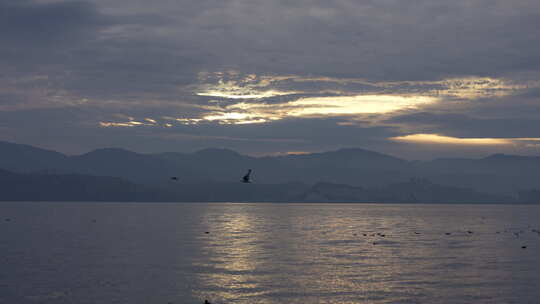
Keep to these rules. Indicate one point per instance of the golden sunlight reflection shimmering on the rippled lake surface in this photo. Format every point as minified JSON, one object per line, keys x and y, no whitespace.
{"x":339,"y":253}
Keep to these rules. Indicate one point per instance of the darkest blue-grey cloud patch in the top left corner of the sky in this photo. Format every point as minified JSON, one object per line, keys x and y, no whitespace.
{"x":37,"y":35}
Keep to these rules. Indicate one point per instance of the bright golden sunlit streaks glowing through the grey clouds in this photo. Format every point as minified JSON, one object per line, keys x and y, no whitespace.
{"x":243,"y":99}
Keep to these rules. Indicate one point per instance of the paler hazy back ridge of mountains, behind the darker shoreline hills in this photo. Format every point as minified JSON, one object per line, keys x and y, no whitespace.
{"x":496,"y":174}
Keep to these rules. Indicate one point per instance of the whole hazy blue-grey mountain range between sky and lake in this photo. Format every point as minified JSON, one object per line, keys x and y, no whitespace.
{"x":214,"y":175}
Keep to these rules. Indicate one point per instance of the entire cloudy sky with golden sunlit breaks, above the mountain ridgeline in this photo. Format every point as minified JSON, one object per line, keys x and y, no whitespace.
{"x":418,"y":79}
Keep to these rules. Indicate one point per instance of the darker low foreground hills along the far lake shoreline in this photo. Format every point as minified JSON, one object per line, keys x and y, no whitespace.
{"x":76,"y":187}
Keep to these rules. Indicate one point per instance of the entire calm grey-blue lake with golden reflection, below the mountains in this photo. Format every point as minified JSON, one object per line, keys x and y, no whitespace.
{"x":268,"y":253}
